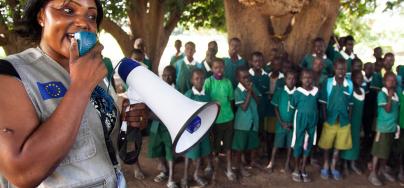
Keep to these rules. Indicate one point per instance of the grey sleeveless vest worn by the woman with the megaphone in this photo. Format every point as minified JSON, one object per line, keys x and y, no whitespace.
{"x":87,"y":164}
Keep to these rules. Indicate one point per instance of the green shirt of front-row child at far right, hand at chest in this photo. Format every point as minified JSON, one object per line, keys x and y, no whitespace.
{"x":386,"y":121}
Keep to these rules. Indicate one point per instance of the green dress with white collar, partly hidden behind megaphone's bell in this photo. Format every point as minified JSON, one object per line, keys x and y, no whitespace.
{"x":203,"y":148}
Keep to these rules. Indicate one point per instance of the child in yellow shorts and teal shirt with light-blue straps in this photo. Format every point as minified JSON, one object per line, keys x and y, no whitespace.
{"x":336,"y":133}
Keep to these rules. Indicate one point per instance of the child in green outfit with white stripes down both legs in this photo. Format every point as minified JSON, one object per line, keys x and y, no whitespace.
{"x":304,"y":102}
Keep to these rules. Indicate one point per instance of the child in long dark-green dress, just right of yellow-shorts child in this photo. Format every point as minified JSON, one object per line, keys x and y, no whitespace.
{"x":357,"y":110}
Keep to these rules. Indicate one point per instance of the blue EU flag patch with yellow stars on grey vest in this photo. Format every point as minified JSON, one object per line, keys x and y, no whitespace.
{"x":51,"y":90}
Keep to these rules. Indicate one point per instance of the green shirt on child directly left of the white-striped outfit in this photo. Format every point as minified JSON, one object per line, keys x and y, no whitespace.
{"x":282,"y":100}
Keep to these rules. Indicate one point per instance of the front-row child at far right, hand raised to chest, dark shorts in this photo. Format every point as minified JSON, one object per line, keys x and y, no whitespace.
{"x":387,"y":129}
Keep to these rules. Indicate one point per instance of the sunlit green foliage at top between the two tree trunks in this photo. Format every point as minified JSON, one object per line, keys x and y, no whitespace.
{"x":204,"y":14}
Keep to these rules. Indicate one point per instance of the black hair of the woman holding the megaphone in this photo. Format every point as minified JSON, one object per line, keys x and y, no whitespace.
{"x":29,"y":26}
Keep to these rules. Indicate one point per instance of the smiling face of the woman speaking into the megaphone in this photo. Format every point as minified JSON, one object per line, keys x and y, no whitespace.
{"x":60,"y":19}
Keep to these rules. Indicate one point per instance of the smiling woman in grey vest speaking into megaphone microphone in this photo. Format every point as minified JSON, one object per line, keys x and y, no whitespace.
{"x":56,"y":115}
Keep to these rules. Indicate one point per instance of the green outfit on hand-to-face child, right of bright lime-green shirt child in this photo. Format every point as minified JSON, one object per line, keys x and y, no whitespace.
{"x":246,"y":122}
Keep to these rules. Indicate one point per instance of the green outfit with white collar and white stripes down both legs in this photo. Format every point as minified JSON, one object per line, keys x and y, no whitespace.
{"x":305,"y":120}
